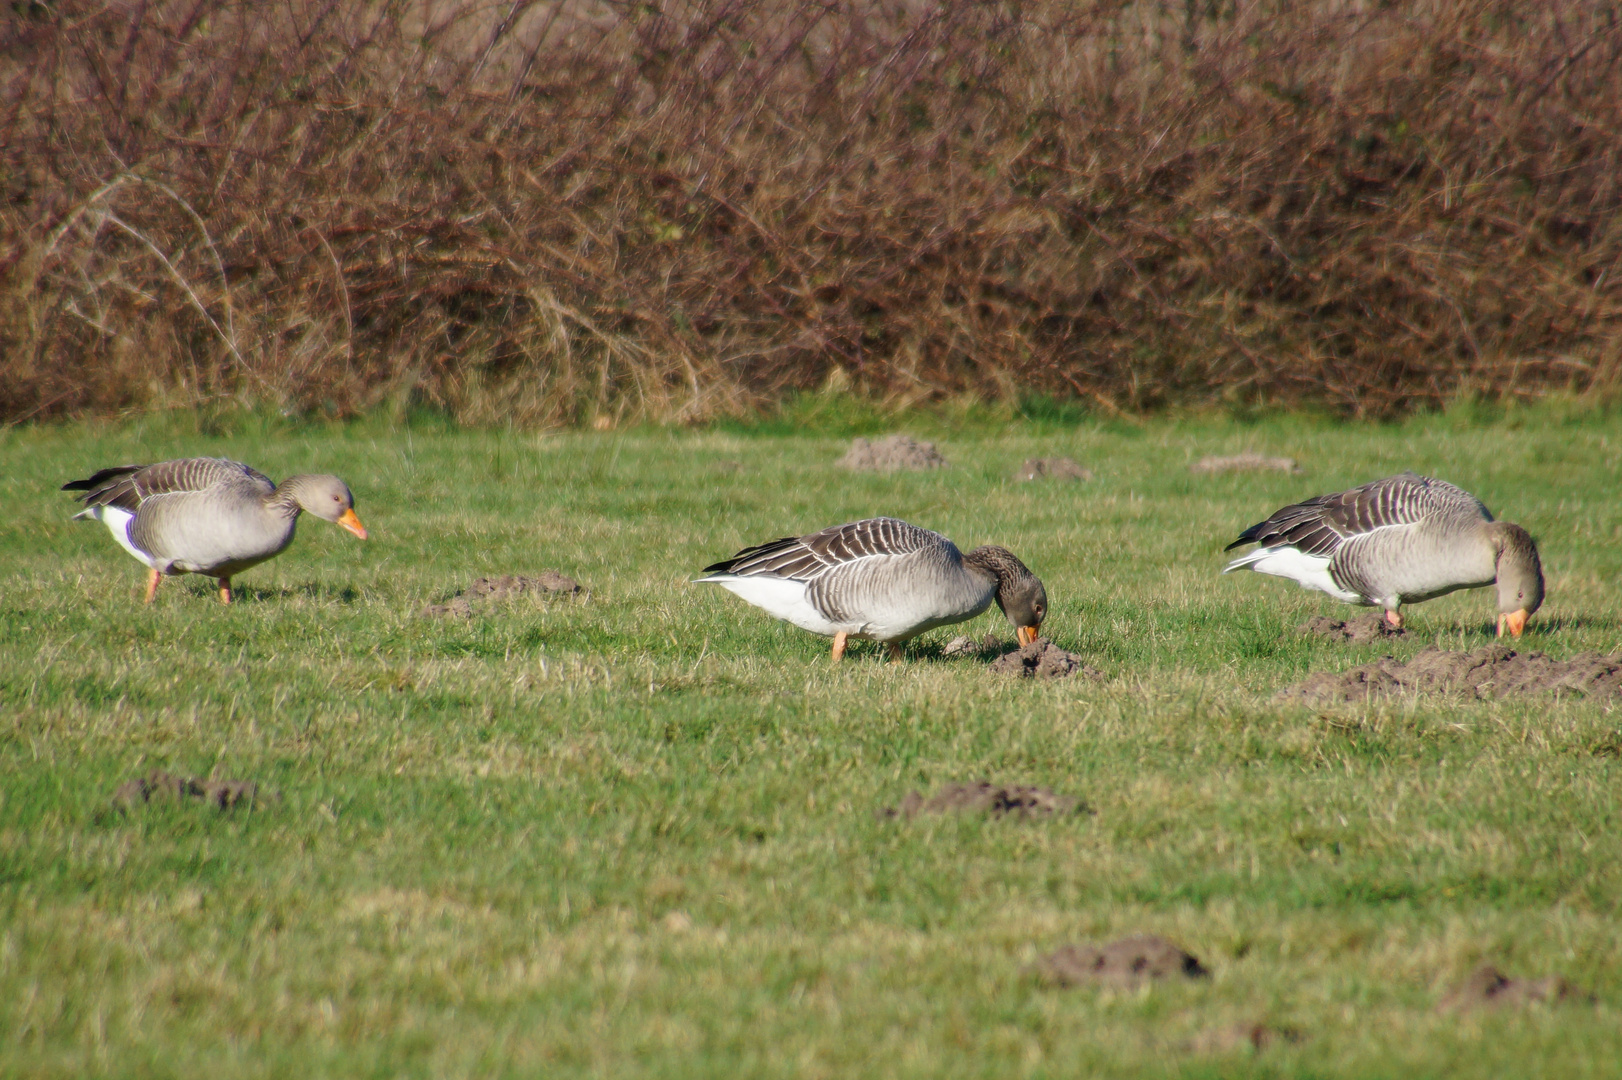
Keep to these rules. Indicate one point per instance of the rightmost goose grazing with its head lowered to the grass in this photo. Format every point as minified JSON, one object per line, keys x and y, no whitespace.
{"x":1399,"y":541}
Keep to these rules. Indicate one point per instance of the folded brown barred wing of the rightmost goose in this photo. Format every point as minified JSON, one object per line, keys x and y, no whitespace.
{"x":1323,"y":525}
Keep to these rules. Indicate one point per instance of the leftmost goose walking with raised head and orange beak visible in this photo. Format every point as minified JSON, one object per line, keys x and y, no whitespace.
{"x":207,"y":515}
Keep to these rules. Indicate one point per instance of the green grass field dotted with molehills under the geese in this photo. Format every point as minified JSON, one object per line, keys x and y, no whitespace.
{"x":635,"y":836}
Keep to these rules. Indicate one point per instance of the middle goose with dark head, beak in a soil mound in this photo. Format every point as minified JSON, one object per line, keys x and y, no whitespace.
{"x":882,"y":580}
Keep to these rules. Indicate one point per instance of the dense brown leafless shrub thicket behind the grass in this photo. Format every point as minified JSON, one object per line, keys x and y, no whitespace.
{"x":549,"y":212}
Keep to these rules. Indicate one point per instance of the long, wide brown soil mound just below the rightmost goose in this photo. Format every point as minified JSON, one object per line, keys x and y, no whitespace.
{"x":1485,"y":674}
